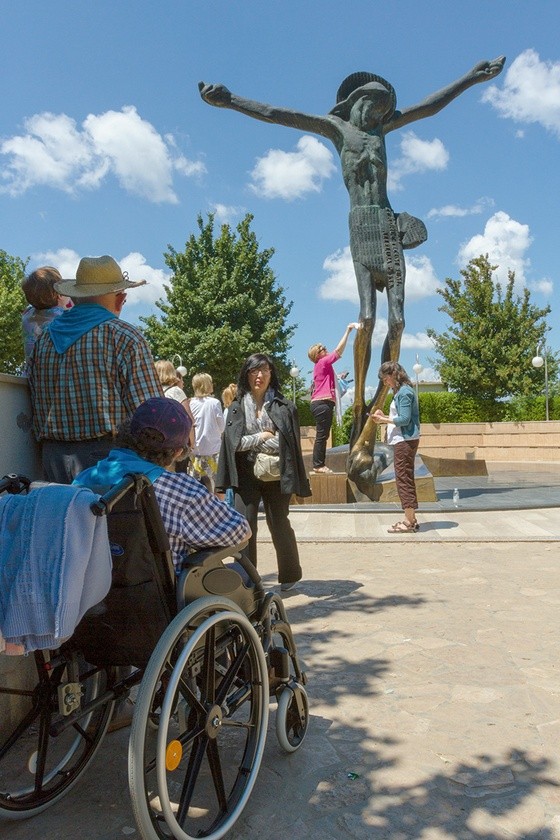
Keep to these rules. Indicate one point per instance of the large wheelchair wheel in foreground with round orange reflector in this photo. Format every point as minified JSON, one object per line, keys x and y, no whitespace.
{"x":200,"y":724}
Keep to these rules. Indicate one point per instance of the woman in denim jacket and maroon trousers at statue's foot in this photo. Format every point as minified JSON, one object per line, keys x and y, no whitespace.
{"x":403,"y":434}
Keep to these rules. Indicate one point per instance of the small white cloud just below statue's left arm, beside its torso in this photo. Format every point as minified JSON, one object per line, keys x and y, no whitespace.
{"x":290,"y":175}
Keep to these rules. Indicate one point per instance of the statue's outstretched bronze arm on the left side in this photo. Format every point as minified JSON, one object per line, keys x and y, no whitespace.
{"x":220,"y":96}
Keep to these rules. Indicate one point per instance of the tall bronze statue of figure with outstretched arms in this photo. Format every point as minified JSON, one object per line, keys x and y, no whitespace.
{"x":364,"y":113}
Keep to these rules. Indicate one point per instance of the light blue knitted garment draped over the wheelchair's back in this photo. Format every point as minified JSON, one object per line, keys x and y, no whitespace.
{"x":55,"y":563}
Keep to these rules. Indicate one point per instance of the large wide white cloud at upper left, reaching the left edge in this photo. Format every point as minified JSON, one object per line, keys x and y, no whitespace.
{"x":55,"y":152}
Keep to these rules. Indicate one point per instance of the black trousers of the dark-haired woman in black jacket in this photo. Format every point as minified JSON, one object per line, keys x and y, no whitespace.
{"x":248,"y":496}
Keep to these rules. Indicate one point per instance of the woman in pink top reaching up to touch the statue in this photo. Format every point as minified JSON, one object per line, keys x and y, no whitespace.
{"x":323,"y":396}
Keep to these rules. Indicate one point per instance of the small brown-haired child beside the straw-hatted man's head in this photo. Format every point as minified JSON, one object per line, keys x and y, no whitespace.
{"x":45,"y":304}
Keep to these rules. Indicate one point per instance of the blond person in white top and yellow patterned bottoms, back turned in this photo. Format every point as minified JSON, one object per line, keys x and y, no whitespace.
{"x":208,"y":429}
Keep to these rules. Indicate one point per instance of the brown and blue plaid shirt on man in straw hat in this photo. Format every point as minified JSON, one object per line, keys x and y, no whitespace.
{"x":88,"y":391}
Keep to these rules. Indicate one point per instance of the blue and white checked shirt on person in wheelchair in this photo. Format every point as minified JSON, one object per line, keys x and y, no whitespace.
{"x":194,"y":518}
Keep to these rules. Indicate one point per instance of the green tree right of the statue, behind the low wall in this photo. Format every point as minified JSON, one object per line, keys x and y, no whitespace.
{"x":486,"y":352}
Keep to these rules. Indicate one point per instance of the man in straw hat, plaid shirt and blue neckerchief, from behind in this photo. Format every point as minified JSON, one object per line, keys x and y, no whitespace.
{"x":89,"y":371}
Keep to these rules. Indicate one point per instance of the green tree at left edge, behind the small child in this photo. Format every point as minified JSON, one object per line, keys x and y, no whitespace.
{"x":12,"y":304}
